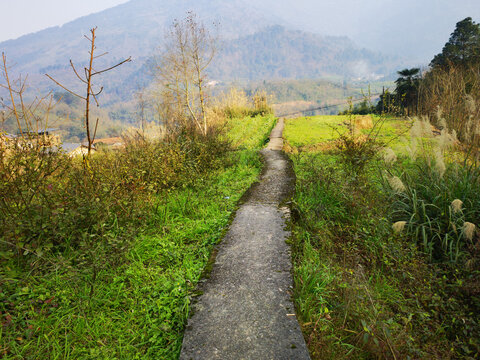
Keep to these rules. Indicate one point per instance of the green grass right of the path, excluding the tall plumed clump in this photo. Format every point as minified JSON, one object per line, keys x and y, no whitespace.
{"x":361,"y":290}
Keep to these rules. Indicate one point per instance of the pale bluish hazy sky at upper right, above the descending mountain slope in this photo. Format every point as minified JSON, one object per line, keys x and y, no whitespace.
{"x":413,"y":28}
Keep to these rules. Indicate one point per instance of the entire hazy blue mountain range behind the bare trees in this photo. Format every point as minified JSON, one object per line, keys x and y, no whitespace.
{"x":257,"y":45}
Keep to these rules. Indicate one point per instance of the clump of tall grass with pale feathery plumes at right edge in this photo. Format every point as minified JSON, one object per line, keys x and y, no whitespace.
{"x":435,"y":195}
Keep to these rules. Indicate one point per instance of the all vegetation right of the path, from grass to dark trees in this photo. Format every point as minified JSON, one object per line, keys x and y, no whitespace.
{"x":386,"y":245}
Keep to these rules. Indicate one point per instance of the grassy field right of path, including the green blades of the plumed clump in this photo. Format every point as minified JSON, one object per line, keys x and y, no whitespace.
{"x":364,"y":290}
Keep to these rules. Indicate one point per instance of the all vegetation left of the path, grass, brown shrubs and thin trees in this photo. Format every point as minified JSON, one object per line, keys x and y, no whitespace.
{"x":100,"y":255}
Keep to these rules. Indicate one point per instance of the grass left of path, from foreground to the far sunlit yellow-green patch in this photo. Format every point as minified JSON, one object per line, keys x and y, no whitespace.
{"x":132,"y":302}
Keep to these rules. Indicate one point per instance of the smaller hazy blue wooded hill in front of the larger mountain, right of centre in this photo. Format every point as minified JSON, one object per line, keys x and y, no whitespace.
{"x":277,"y":52}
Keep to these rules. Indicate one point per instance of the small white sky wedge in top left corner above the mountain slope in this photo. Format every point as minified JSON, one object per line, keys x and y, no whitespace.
{"x":20,"y":17}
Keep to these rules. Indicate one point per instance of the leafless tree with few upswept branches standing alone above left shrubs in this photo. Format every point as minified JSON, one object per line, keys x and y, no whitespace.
{"x":89,"y":73}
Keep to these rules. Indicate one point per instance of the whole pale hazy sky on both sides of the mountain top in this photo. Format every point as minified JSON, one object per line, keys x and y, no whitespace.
{"x":414,"y":28}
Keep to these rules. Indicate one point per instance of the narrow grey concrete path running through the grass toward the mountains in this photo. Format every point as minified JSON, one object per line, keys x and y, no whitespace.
{"x":246,"y":311}
